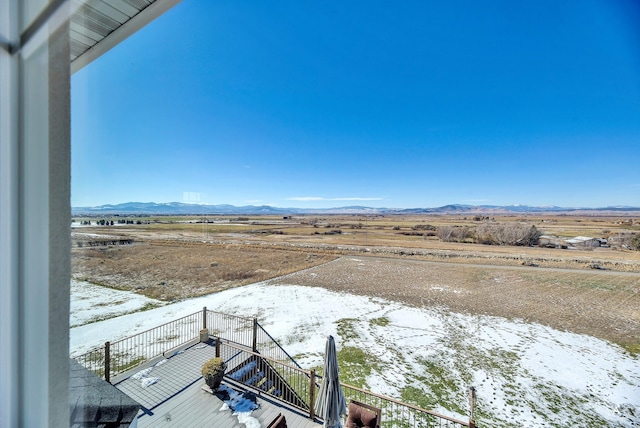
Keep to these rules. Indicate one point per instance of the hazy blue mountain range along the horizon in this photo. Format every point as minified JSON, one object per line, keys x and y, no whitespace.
{"x":179,"y":208}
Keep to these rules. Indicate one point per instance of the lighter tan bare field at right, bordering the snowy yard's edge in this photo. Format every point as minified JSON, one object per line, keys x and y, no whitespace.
{"x":602,"y":304}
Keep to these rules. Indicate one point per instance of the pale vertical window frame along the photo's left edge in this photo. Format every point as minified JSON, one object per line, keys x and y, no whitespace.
{"x":34,"y":213}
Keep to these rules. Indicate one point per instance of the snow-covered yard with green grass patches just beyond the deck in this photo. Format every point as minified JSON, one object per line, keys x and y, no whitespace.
{"x":525,"y":374}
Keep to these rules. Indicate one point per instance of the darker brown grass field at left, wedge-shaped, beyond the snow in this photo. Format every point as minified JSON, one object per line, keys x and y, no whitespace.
{"x":173,"y":271}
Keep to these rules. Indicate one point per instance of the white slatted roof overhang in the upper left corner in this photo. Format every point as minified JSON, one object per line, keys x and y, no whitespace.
{"x":96,"y":26}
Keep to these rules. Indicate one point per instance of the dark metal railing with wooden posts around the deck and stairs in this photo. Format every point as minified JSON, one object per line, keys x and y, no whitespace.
{"x":287,"y":381}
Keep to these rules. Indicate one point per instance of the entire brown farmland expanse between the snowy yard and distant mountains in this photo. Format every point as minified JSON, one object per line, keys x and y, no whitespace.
{"x":593,"y":291}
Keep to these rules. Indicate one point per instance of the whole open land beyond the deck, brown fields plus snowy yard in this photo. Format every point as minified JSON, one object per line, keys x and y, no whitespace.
{"x":512,"y":311}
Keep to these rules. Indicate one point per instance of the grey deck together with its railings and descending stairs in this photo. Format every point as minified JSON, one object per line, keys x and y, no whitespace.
{"x":160,"y":368}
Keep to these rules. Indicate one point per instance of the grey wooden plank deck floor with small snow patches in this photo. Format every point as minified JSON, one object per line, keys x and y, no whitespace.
{"x":177,"y":398}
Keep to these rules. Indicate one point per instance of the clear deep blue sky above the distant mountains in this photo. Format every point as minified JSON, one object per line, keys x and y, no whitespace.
{"x":376,"y":103}
